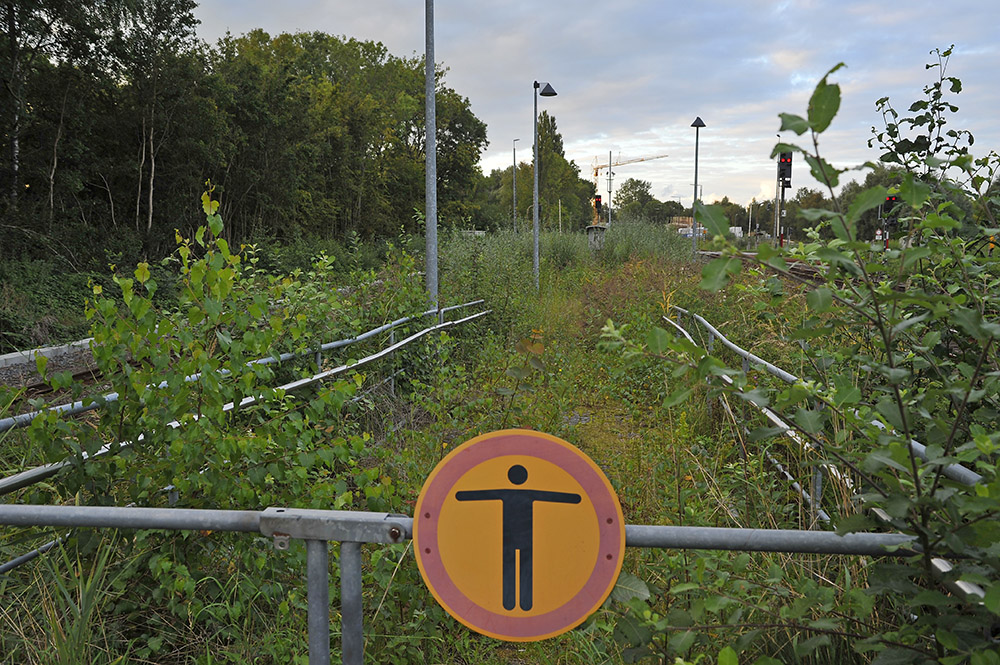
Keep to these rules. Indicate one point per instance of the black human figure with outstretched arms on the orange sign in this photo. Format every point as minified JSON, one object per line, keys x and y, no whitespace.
{"x":518,"y":530}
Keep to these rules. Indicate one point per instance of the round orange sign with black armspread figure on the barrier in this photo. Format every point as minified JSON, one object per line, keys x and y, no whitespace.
{"x":519,"y":535}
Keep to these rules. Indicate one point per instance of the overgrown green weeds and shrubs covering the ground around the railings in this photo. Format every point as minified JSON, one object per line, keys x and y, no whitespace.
{"x":891,"y":346}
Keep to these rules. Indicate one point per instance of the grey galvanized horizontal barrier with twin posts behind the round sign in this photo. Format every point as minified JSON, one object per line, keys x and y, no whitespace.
{"x":351,"y":529}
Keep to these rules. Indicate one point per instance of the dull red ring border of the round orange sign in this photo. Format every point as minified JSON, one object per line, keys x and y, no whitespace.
{"x":611,"y":527}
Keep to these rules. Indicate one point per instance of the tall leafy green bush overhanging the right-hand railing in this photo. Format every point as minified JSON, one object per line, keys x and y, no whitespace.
{"x":901,"y":346}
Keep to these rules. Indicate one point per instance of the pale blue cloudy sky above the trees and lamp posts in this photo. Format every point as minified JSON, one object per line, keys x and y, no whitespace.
{"x":632,"y":75}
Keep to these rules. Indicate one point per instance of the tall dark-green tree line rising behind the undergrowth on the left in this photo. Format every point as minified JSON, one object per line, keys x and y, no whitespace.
{"x":115,"y":118}
